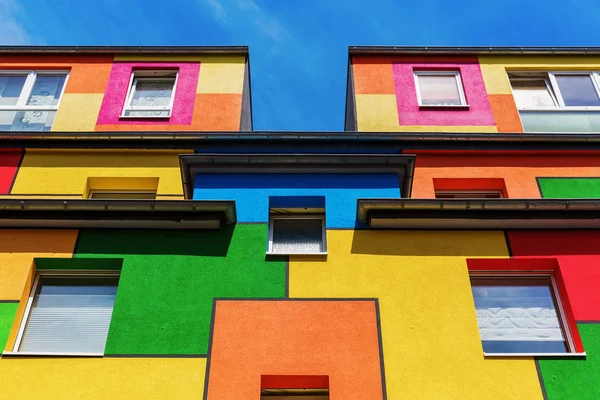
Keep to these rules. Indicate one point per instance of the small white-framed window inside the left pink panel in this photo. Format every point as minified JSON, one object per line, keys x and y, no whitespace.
{"x":151,"y":94}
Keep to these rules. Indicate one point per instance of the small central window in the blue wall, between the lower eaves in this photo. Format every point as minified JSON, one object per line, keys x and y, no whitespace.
{"x":297,"y":235}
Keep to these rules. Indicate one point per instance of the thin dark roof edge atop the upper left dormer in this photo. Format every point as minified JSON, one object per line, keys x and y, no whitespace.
{"x":174,"y":50}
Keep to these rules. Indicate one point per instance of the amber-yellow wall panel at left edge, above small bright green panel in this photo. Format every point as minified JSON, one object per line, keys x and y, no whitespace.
{"x":18,"y":248}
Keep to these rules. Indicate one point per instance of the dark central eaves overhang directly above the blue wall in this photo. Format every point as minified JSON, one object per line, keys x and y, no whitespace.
{"x":403,"y":164}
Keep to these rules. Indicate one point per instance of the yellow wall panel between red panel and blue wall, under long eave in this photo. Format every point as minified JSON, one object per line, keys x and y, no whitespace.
{"x":66,"y":172}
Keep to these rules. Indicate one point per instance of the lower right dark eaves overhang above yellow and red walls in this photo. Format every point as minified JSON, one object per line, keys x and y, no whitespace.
{"x":480,"y":214}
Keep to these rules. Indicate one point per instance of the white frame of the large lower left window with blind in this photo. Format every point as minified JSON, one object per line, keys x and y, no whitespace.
{"x":30,"y":299}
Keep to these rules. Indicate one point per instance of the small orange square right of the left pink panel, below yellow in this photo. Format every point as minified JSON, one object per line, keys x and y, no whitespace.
{"x":217,"y":112}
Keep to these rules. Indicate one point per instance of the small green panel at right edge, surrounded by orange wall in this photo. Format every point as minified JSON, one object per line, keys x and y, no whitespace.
{"x":570,"y":188}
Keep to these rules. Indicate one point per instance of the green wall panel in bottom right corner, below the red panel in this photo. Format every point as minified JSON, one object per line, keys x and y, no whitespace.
{"x":575,"y":378}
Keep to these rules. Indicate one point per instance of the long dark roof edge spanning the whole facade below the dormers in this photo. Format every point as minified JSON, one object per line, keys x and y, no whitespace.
{"x":206,"y":140}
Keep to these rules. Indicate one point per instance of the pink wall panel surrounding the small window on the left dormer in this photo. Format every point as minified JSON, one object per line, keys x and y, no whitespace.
{"x":118,"y":85}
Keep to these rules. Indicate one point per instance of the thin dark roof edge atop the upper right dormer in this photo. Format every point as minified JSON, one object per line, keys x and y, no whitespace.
{"x":472,"y":50}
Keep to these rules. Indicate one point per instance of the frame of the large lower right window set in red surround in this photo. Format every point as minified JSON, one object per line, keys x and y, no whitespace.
{"x":562,"y":317}
